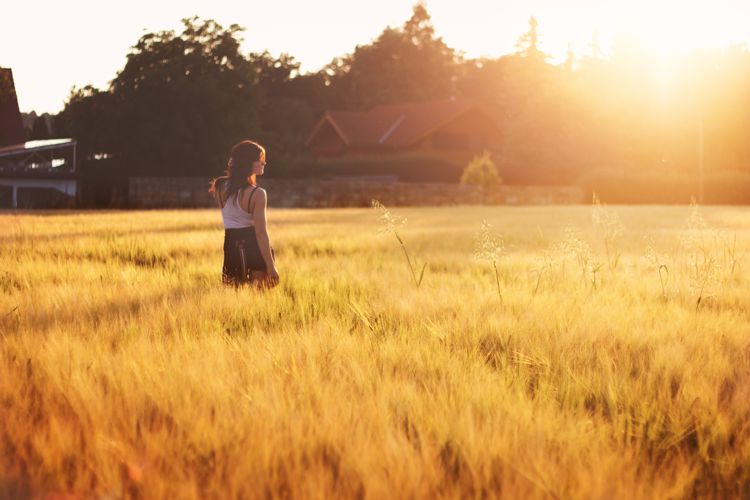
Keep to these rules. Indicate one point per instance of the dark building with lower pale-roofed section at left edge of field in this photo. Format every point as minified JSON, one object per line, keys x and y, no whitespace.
{"x":33,"y":174}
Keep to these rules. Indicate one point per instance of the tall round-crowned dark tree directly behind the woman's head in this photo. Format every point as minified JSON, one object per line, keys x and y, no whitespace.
{"x":181,"y":101}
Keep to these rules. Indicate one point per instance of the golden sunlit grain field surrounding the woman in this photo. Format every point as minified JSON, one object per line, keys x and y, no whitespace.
{"x":608,"y":357}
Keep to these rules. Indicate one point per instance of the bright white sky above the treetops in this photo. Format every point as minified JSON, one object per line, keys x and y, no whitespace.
{"x":52,"y":45}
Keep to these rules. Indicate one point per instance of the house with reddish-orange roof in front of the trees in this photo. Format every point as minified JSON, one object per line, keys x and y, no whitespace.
{"x":454,"y":130}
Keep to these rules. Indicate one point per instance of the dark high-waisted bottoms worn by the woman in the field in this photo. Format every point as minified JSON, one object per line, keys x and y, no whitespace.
{"x":241,"y":255}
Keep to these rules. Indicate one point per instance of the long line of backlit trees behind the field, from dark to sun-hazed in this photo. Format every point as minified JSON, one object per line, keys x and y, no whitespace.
{"x":182,"y":99}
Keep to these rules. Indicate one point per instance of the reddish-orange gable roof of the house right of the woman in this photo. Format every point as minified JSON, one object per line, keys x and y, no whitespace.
{"x":394,"y":125}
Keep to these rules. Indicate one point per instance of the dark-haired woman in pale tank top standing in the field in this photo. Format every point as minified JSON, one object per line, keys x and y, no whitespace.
{"x":248,"y":256}
